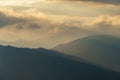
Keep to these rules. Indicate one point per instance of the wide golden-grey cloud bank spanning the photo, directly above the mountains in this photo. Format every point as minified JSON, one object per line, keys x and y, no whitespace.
{"x":48,"y":30}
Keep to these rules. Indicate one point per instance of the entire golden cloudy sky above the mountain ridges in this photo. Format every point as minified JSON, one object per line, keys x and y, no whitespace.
{"x":47,"y":23}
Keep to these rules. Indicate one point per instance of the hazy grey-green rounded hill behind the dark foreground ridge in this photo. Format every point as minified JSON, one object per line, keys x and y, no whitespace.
{"x":99,"y":49}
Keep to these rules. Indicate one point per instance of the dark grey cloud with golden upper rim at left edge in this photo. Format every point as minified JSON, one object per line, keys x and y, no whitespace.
{"x":21,"y":22}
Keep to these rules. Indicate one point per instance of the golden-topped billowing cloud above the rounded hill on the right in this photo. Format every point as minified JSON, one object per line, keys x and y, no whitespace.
{"x":105,"y":24}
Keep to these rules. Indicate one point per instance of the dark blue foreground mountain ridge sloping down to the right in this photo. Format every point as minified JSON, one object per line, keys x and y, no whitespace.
{"x":43,"y":64}
